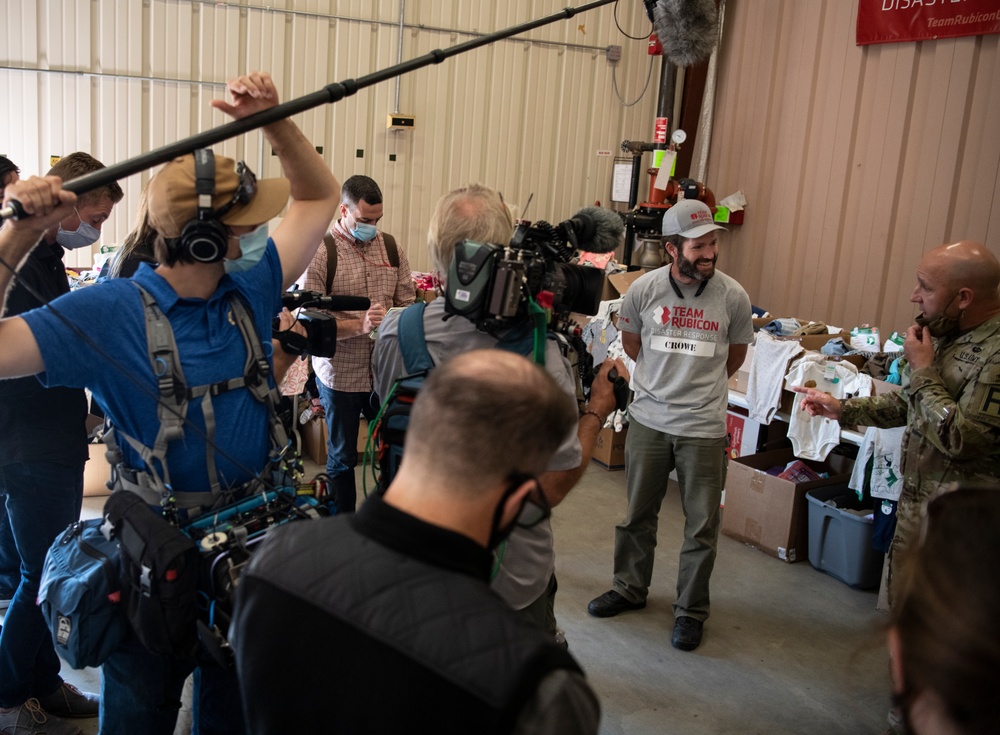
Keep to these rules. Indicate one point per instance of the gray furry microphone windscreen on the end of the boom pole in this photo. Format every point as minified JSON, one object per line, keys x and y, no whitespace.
{"x":688,"y":29}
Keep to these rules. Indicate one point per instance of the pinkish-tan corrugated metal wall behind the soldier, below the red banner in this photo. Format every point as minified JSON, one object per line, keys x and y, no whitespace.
{"x":855,"y":160}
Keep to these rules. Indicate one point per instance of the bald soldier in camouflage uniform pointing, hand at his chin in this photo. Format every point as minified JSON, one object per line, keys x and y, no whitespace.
{"x":950,"y":396}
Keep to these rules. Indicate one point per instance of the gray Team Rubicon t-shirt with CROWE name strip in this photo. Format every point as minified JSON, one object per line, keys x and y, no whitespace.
{"x":680,"y":374}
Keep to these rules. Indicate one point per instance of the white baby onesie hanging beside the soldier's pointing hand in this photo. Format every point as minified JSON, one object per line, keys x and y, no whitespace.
{"x":814,"y":436}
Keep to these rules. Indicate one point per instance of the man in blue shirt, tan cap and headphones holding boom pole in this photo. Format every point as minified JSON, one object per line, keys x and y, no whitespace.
{"x":198,"y":296}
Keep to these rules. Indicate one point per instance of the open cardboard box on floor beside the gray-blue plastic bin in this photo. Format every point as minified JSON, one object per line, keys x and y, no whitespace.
{"x":771,"y":514}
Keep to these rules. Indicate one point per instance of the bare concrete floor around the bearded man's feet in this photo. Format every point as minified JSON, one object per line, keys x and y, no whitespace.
{"x":788,"y":650}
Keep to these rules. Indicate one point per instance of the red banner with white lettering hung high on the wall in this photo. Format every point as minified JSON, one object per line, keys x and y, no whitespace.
{"x":896,"y":21}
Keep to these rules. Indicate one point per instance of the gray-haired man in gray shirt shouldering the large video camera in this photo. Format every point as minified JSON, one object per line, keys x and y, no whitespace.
{"x":526,"y":575}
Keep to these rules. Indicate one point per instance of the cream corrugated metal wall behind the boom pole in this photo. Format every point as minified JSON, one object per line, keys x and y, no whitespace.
{"x":121,"y":77}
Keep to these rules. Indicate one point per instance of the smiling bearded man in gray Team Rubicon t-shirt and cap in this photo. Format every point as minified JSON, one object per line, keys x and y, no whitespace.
{"x":687,"y":327}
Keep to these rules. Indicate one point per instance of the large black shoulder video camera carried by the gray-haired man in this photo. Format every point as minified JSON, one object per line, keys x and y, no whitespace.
{"x":493,"y":284}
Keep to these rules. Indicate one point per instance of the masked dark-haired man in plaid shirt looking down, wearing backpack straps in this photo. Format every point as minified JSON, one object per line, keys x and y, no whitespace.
{"x":357,"y":260}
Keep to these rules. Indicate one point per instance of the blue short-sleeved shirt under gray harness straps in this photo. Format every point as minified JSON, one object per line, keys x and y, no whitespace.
{"x":211,"y":350}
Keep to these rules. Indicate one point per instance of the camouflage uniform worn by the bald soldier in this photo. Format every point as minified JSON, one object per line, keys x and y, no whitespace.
{"x":951,"y":411}
